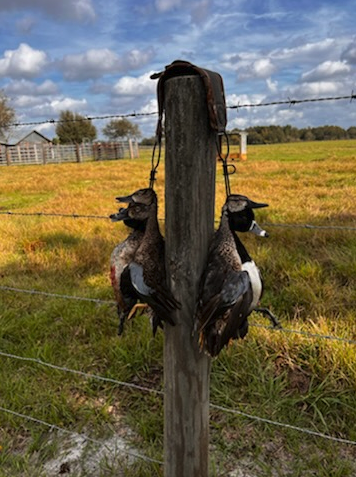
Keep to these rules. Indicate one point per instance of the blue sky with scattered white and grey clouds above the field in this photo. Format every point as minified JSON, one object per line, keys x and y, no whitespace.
{"x":95,"y":57}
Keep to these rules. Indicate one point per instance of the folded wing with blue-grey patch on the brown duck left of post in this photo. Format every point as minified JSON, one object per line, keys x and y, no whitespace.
{"x":157,"y":296}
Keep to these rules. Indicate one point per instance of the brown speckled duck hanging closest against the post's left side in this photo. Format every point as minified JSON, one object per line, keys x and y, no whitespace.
{"x":146,"y":271}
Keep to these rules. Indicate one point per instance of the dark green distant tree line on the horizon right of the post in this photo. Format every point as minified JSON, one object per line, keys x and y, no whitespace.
{"x":278,"y":134}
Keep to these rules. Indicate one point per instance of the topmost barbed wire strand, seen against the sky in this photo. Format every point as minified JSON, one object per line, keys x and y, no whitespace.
{"x":289,"y":101}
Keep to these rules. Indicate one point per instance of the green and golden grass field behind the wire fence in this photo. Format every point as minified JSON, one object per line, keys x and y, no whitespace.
{"x":299,"y":380}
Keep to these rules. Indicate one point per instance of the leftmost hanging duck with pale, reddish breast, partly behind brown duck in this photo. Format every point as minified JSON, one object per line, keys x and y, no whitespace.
{"x":121,"y":256}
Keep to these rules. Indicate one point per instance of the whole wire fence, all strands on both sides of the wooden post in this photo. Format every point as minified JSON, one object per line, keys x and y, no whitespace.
{"x":141,"y":388}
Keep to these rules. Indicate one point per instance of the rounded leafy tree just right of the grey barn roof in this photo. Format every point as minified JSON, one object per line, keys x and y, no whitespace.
{"x":73,"y":128}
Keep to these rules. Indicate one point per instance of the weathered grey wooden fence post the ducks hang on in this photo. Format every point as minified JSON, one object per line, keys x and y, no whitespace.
{"x":189,"y":217}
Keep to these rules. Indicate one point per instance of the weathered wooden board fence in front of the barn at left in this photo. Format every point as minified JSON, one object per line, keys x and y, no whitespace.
{"x":32,"y":153}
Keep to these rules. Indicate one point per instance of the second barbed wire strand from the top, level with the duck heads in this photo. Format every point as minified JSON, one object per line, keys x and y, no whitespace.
{"x":106,"y":217}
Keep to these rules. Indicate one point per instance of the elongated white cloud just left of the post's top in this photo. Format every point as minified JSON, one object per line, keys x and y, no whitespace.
{"x":96,"y":63}
